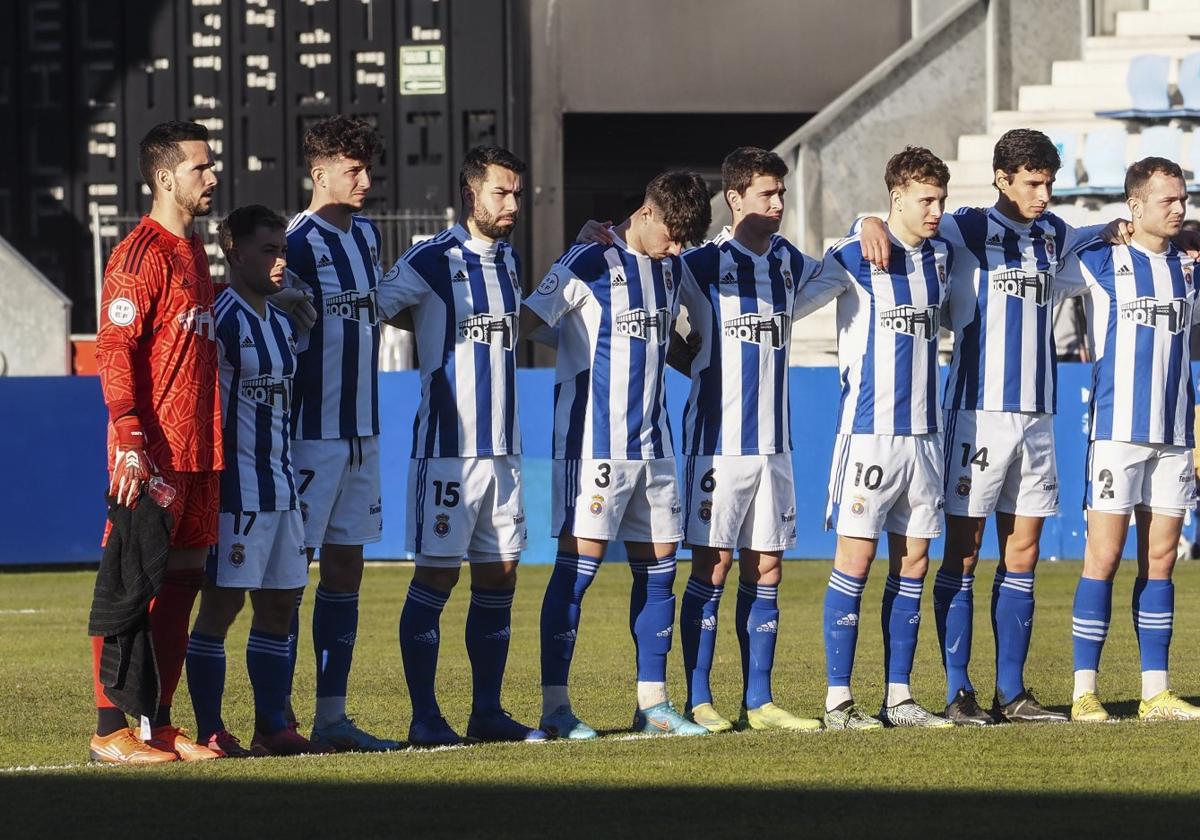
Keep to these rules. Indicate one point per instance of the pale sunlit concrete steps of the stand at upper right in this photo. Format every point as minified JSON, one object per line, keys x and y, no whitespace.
{"x":1067,"y":105}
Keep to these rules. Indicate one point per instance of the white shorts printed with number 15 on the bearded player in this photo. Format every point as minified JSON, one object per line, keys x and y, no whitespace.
{"x":465,"y":508}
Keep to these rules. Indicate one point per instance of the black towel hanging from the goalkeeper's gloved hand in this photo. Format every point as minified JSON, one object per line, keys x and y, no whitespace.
{"x":130,"y":574}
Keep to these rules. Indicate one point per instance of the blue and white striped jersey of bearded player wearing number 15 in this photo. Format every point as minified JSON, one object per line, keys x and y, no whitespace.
{"x":465,"y":297}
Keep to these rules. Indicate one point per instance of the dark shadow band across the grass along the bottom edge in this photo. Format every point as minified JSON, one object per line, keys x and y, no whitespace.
{"x":134,"y":805}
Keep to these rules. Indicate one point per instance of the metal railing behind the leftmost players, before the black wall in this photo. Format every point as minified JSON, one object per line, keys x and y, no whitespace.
{"x":400,"y":230}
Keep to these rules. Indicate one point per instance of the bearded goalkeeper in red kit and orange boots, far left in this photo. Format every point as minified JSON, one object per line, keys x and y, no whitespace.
{"x":158,"y":357}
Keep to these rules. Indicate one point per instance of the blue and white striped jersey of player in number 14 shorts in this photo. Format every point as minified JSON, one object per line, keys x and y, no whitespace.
{"x":1001,"y":301}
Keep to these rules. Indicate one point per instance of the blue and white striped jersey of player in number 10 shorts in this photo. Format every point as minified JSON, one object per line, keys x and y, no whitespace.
{"x":887,"y":333}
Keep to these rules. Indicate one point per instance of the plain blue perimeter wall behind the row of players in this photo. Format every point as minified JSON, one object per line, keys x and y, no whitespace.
{"x":55,"y":429}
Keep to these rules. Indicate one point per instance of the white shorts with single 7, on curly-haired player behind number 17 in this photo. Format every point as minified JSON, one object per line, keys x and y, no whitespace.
{"x":339,"y":487}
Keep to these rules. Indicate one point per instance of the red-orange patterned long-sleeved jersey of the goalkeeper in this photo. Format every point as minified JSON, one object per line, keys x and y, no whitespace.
{"x":157,"y":347}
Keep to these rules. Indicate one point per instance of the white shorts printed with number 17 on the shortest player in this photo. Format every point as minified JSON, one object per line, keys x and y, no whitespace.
{"x":260,"y":550}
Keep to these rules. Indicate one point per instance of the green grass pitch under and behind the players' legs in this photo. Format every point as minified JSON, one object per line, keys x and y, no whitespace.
{"x":1125,"y":779}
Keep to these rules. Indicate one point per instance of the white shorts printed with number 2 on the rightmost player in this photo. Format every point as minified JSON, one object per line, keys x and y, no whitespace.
{"x":1124,"y":477}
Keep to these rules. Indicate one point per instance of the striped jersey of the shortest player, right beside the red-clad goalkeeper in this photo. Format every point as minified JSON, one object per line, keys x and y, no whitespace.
{"x":259,"y":362}
